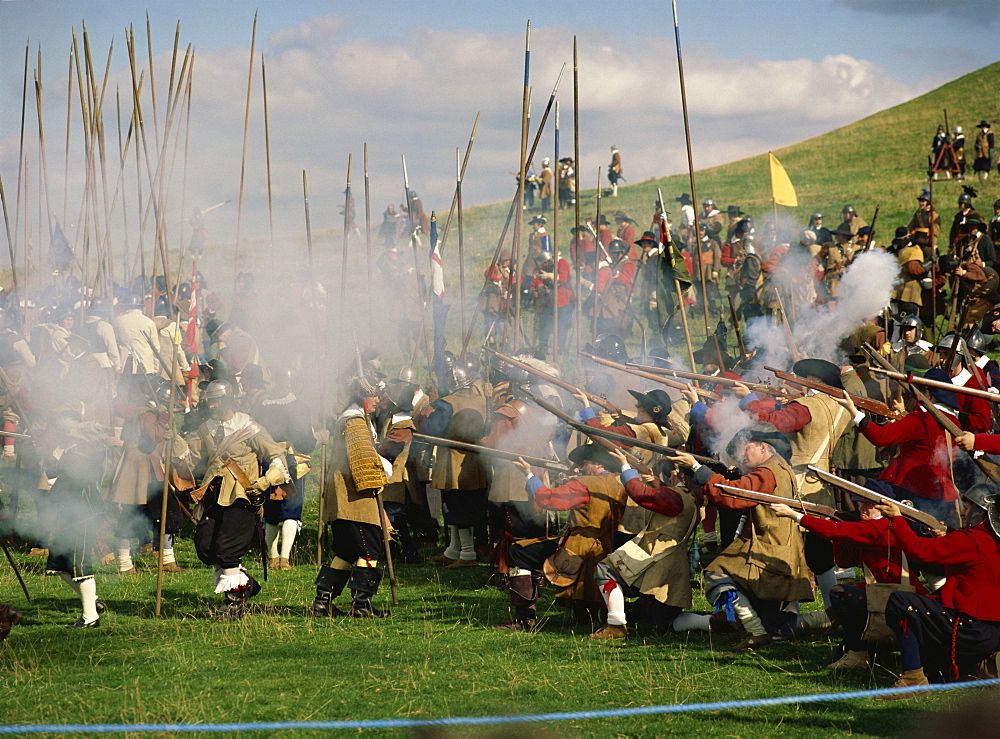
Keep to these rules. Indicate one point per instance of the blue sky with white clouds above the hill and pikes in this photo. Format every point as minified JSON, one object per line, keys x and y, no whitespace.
{"x":408,"y":78}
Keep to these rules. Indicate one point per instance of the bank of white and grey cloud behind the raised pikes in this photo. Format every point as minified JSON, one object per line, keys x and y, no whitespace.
{"x":330,"y":92}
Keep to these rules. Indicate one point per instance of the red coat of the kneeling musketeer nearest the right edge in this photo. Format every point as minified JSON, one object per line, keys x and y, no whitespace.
{"x":971,"y":559}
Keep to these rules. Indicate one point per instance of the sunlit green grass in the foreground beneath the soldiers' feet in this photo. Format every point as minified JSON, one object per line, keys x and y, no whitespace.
{"x":434,"y":657}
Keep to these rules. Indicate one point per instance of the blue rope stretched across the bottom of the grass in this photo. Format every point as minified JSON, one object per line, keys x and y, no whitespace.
{"x":404,"y":723}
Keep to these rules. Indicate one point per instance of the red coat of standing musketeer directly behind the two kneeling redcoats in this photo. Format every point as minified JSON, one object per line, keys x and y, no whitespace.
{"x":926,"y":451}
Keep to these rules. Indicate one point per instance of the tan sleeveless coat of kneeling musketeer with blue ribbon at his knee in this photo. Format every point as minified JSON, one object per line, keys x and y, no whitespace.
{"x":768,"y":559}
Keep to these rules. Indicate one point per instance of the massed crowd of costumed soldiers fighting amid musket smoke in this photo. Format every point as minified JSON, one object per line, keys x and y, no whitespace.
{"x":618,"y":492}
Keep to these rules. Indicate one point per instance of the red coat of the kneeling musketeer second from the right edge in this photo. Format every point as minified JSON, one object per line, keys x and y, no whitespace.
{"x":865,"y":542}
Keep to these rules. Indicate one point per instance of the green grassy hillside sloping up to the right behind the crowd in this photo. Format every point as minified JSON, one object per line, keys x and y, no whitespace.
{"x":880,"y":160}
